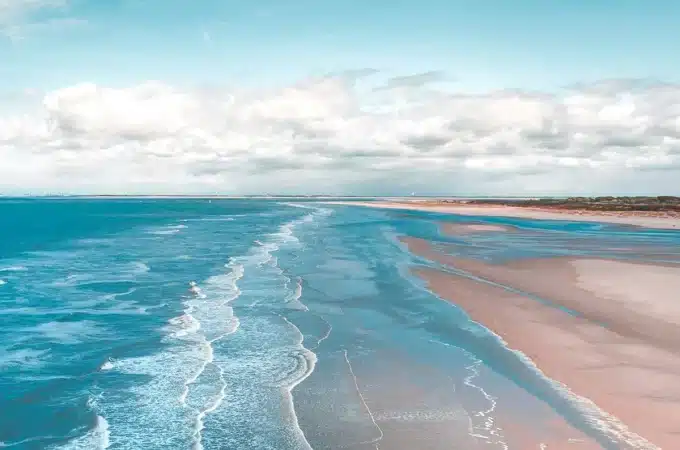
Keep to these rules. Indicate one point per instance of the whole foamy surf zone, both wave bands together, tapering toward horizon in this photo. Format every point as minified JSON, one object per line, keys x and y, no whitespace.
{"x":191,"y":379}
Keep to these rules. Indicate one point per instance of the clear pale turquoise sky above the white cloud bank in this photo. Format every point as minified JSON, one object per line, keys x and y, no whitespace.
{"x":483,"y":44}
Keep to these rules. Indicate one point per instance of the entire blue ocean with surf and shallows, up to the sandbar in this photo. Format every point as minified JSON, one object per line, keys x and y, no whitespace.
{"x":306,"y":330}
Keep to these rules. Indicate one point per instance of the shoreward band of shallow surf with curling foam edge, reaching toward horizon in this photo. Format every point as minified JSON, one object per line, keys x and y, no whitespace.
{"x":267,"y":357}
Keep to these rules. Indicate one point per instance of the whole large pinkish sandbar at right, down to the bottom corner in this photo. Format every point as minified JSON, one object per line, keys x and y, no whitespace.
{"x":631,"y":369}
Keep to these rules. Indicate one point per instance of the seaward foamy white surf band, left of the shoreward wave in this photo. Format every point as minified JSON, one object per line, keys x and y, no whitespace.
{"x":185,"y":384}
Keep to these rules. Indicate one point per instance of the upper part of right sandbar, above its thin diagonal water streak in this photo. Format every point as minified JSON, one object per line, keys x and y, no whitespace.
{"x":569,"y":283}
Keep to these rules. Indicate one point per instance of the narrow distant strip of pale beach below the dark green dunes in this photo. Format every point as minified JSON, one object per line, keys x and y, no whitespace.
{"x":621,"y":218}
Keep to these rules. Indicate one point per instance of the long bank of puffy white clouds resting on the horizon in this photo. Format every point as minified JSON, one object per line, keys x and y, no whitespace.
{"x":332,"y":135}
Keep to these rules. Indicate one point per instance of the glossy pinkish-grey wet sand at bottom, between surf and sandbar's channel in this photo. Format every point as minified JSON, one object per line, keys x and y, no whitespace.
{"x":383,"y":400}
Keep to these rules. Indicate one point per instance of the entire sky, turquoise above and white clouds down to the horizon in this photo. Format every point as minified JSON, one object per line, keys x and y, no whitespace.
{"x":437,"y":97}
